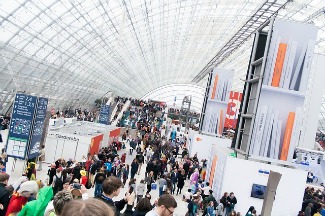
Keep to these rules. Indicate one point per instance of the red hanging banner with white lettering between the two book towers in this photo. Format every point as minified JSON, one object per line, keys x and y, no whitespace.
{"x":233,"y":109}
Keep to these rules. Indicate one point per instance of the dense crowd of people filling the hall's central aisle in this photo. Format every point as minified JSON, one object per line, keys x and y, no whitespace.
{"x":167,"y":168}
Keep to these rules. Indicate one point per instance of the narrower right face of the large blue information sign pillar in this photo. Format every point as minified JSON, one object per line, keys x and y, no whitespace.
{"x":38,"y":127}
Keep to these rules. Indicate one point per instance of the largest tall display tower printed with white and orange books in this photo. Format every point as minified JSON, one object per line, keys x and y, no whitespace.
{"x":274,"y":98}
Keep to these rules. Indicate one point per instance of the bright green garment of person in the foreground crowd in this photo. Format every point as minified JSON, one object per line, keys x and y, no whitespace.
{"x":37,"y":207}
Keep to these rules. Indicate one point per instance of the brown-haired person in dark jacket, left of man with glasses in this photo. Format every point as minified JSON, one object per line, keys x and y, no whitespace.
{"x":111,"y":188}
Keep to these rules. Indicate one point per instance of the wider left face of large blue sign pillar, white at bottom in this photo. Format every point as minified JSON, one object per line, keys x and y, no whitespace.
{"x":21,"y":125}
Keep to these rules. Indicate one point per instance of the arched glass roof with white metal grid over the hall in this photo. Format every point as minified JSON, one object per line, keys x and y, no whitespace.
{"x":74,"y":51}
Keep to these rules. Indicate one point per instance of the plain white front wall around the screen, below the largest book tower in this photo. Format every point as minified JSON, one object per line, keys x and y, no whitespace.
{"x":240,"y":175}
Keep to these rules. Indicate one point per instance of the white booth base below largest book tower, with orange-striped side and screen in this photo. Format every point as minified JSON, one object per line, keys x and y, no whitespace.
{"x":248,"y":180}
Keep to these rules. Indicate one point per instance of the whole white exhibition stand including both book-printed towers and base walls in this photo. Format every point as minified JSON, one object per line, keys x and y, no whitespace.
{"x":277,"y":121}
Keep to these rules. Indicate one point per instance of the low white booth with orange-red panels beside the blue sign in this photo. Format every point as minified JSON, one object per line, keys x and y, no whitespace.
{"x":77,"y":140}
